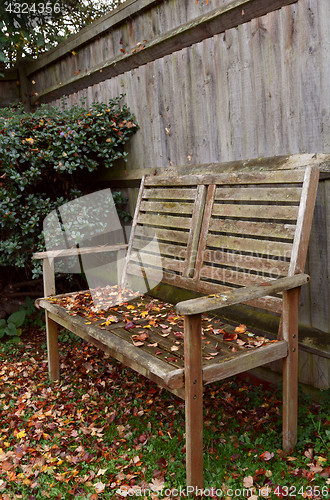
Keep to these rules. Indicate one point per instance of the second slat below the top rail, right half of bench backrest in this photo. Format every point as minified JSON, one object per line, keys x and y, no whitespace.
{"x":256,"y":211}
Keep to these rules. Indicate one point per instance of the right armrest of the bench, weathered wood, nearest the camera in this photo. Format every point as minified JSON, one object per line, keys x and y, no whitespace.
{"x":239,"y":295}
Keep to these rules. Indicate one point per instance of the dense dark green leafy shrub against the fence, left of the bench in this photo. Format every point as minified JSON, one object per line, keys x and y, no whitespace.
{"x":46,"y":160}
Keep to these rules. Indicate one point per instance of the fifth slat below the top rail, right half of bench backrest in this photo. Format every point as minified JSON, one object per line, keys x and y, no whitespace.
{"x":274,"y":267}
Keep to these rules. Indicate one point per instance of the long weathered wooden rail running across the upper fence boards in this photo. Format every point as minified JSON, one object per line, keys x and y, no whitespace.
{"x":217,"y":21}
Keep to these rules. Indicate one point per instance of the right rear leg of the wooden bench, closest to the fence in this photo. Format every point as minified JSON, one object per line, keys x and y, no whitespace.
{"x":290,"y":368}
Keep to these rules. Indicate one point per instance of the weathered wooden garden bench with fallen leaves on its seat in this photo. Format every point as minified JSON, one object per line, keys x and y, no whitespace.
{"x":235,"y":238}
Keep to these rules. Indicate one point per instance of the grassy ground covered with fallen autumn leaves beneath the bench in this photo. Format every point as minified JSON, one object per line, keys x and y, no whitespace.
{"x":105,"y":432}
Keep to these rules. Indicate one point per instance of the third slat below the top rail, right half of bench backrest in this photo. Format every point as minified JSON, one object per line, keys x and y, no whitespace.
{"x":284,"y":231}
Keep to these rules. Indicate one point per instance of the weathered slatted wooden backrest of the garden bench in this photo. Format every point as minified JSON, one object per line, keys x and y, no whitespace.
{"x":220,"y":231}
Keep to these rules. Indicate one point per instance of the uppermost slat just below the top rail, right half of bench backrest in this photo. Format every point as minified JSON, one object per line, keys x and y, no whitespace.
{"x":256,"y":194}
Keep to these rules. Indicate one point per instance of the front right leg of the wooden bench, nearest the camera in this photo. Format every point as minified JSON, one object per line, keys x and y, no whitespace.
{"x":193,"y":400}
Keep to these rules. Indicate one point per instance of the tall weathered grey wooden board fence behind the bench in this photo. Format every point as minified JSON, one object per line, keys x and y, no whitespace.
{"x":210,"y":81}
